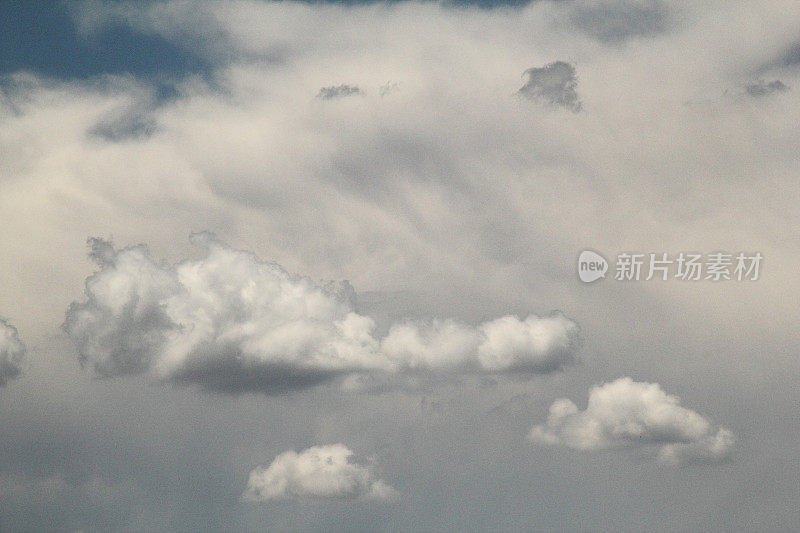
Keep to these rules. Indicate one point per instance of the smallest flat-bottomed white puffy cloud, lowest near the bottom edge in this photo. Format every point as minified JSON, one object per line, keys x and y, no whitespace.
{"x":319,"y":472}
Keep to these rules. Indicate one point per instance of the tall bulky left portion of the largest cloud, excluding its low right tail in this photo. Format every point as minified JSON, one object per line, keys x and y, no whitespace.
{"x":228,"y":321}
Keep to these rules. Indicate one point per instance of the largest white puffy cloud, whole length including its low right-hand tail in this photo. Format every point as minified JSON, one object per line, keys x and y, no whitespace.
{"x":233,"y":323}
